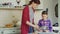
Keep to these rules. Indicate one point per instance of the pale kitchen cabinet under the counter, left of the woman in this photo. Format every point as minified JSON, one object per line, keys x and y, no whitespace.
{"x":15,"y":30}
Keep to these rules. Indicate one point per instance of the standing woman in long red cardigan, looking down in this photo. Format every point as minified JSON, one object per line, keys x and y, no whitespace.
{"x":27,"y":25}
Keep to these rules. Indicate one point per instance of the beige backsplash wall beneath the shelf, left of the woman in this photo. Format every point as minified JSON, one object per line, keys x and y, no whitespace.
{"x":6,"y":16}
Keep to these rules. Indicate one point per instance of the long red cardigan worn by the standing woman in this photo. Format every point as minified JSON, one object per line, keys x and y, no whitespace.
{"x":25,"y":17}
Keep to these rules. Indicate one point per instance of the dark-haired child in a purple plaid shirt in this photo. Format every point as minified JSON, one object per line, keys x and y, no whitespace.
{"x":45,"y":24}
